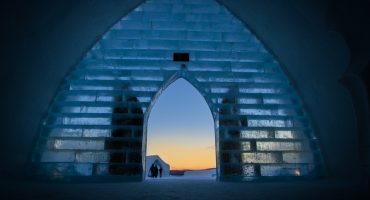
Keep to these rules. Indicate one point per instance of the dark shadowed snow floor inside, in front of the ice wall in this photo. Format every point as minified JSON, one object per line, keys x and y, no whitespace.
{"x":189,"y":189}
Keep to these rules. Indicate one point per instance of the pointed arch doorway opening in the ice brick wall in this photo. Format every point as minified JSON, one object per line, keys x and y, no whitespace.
{"x":180,"y":130}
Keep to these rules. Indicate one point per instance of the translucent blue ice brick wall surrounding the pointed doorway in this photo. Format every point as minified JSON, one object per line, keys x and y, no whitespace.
{"x":95,"y":126}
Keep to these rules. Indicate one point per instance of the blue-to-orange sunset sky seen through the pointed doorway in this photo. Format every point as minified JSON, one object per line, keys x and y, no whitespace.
{"x":181,"y":128}
